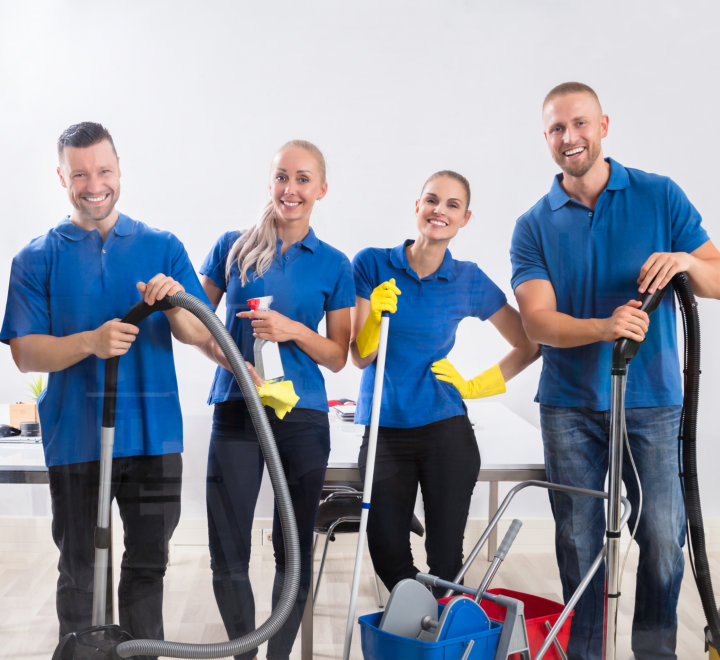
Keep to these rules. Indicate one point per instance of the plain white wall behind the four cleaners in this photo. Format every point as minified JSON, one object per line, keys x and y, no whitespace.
{"x":199,"y":95}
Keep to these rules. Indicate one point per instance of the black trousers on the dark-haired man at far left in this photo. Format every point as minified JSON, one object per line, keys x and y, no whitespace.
{"x":147,"y":491}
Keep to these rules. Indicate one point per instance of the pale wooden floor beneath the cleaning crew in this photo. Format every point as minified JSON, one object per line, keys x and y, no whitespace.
{"x":28,"y":626}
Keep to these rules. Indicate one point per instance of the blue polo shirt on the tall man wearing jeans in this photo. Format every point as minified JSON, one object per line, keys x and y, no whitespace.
{"x":593,"y":259}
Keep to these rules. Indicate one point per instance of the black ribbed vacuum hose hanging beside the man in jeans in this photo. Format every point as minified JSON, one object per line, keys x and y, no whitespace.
{"x":688,"y":442}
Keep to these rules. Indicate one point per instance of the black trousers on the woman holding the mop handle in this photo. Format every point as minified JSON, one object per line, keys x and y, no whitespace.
{"x":444,"y":460}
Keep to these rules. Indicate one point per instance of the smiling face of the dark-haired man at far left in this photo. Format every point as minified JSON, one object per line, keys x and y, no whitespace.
{"x":91,"y":176}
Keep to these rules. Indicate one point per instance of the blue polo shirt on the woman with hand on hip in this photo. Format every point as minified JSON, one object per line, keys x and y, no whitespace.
{"x":421,"y":331}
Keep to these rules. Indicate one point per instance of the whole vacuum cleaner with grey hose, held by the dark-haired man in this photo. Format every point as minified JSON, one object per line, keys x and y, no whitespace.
{"x":101,"y":641}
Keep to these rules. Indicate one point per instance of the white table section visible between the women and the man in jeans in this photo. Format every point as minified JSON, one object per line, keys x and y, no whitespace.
{"x":510,"y":450}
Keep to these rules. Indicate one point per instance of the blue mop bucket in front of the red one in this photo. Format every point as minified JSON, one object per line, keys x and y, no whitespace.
{"x":380,"y":645}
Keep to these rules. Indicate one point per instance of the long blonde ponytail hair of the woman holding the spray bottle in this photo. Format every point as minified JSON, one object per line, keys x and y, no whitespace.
{"x":255,"y":248}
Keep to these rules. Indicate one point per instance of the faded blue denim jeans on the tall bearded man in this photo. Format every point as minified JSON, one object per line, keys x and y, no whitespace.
{"x":576,"y":453}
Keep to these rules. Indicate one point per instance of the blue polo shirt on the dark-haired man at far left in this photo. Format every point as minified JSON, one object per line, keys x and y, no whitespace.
{"x":69,"y":281}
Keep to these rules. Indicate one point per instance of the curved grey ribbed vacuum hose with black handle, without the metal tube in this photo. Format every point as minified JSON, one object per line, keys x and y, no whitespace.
{"x":275,"y":471}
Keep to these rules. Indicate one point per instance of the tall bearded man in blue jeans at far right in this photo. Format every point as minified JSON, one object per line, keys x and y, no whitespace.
{"x":601,"y":236}
